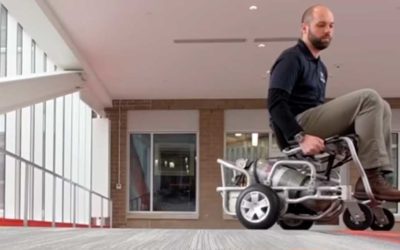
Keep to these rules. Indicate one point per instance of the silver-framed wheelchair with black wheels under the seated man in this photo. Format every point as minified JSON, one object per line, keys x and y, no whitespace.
{"x":296,"y":190}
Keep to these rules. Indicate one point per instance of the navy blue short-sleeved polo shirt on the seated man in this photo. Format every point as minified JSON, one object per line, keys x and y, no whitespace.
{"x":302,"y":76}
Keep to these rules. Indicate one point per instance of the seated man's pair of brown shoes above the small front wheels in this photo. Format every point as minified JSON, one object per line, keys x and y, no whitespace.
{"x":379,"y":186}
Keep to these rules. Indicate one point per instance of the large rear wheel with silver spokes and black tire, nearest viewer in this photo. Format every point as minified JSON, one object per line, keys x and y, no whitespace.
{"x":257,"y":207}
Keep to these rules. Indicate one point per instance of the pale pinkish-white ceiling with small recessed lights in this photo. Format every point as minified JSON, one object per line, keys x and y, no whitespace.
{"x":176,"y":49}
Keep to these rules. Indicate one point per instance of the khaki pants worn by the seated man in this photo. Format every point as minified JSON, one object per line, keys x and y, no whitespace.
{"x":363,"y":112}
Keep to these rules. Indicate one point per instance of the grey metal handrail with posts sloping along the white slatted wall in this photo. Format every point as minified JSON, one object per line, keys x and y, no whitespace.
{"x":72,"y":183}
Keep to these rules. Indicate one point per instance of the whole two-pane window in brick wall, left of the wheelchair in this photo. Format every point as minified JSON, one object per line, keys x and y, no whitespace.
{"x":168,"y":182}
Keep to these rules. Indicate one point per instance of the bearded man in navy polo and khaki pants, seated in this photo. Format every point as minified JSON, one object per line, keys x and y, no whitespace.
{"x":296,"y":102}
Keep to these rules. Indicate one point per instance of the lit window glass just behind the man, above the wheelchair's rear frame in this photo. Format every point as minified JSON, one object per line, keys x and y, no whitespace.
{"x":250,"y":146}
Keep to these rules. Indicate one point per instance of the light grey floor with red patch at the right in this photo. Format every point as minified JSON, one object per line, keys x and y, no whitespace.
{"x":275,"y":238}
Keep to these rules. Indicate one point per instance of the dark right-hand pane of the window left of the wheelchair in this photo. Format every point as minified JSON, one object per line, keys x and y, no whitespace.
{"x":174,"y":182}
